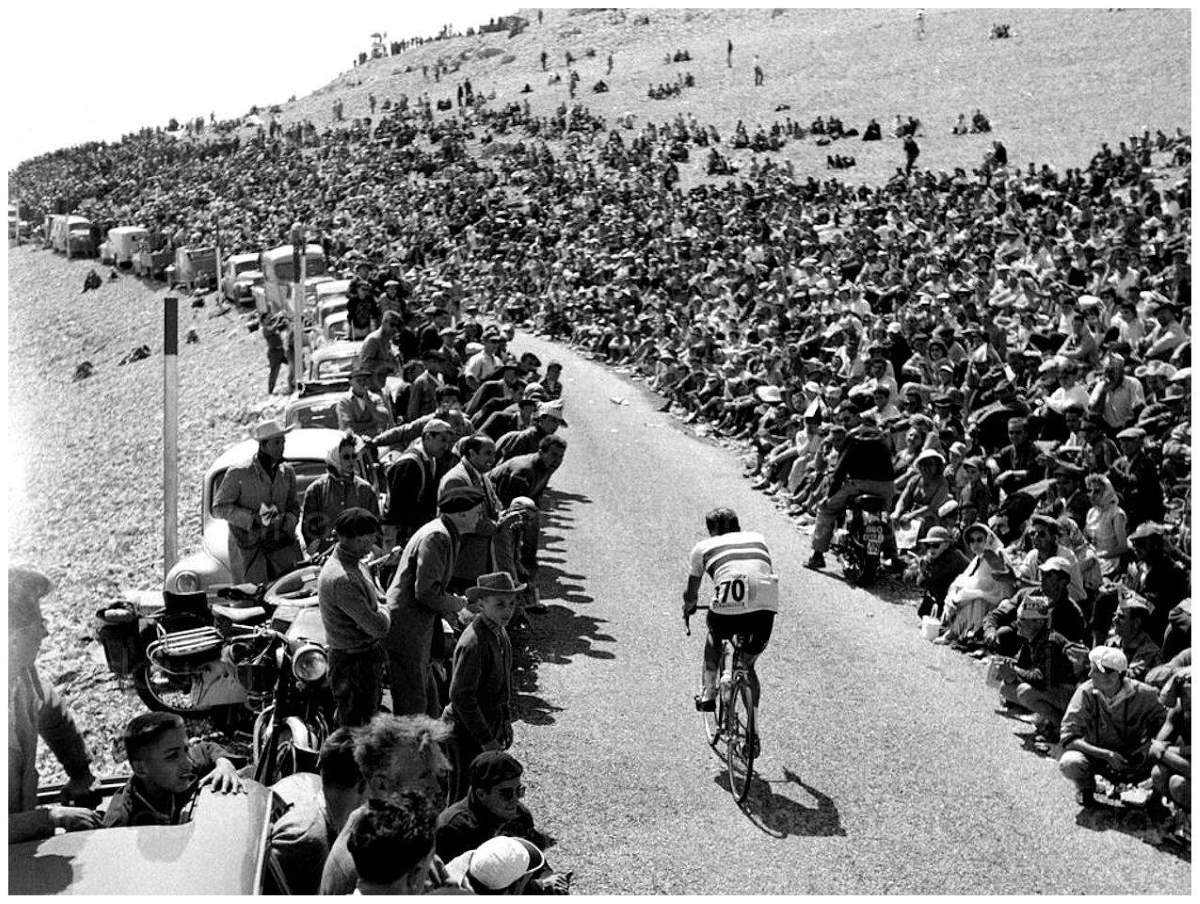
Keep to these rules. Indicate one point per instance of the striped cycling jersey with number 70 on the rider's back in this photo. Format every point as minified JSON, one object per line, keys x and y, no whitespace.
{"x":743,"y":577}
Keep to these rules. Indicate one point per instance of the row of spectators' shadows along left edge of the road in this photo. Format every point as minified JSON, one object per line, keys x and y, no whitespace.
{"x":559,"y":634}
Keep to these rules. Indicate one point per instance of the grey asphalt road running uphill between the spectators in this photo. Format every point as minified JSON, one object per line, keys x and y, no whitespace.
{"x":885,"y":767}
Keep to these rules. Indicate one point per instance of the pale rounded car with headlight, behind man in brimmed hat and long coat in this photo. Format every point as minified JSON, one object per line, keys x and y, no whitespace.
{"x":209,"y":566}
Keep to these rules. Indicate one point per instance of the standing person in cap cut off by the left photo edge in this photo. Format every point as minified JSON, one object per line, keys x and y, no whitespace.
{"x":34,"y":709}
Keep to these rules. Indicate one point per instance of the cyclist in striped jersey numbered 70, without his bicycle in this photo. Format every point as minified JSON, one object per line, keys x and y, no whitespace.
{"x":746,"y":596}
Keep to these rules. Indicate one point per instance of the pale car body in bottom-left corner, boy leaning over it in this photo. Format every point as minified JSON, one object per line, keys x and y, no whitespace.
{"x":224,"y":849}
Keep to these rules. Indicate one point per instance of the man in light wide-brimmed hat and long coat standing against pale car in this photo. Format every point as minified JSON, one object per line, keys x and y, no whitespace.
{"x":259,"y":499}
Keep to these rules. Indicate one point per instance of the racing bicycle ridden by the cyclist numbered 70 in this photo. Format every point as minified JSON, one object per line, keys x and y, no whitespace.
{"x":734,"y":722}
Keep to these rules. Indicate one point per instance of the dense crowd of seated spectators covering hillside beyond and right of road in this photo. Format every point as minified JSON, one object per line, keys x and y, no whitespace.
{"x":1017,"y":338}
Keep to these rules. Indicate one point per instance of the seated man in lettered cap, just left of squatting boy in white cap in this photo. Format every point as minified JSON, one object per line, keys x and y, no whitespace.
{"x":1042,"y":680}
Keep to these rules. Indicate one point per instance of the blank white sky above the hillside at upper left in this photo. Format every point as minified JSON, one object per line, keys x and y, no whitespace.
{"x":80,"y":71}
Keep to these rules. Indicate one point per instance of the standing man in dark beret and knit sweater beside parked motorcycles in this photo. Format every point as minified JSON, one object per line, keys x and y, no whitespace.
{"x":356,"y":620}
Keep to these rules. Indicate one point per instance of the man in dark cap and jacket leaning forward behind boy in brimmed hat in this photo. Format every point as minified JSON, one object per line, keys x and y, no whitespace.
{"x":419,"y":598}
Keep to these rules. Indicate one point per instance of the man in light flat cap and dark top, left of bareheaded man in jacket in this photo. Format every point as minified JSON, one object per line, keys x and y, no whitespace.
{"x":413,"y":482}
